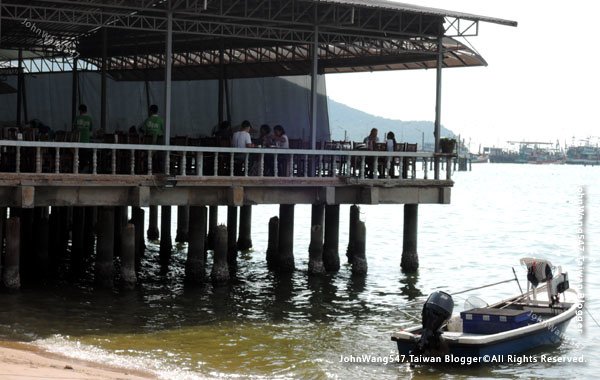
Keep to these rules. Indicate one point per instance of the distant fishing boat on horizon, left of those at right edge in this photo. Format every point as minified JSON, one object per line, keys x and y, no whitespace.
{"x":530,"y":152}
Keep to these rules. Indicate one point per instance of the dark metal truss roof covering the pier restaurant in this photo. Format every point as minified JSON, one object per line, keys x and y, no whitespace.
{"x":249,"y":37}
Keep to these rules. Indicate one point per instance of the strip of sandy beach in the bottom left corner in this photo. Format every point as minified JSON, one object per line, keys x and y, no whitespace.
{"x":20,"y":361}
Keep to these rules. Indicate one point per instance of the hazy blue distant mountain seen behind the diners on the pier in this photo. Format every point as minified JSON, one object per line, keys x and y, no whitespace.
{"x":355,"y":125}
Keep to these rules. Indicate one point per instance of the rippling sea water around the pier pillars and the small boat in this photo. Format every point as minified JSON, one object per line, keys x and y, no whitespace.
{"x":263,"y":325}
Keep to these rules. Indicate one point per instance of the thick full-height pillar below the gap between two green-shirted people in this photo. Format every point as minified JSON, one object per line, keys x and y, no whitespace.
{"x":105,"y":246}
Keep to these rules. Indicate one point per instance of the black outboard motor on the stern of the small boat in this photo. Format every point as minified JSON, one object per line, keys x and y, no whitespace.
{"x":436,"y":310}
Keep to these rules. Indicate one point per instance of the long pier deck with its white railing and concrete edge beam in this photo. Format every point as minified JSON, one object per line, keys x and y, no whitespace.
{"x":336,"y":177}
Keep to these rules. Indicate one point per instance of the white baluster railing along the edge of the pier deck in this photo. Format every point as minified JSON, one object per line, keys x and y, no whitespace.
{"x":124,"y":159}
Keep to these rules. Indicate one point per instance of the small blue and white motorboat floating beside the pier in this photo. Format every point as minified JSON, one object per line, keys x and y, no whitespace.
{"x":496,"y":333}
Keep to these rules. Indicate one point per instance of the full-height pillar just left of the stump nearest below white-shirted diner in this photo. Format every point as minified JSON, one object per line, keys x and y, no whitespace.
{"x":194,"y":265}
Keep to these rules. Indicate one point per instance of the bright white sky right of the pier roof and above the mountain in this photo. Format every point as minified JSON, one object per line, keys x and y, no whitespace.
{"x":541,"y":82}
